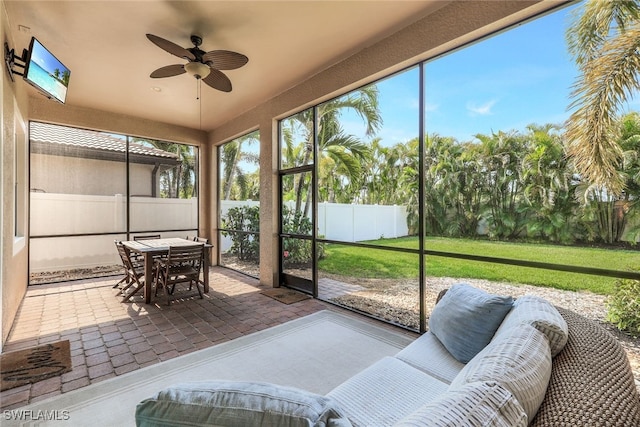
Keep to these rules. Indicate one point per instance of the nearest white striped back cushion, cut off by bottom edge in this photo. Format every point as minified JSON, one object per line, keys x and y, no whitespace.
{"x":479,"y":404}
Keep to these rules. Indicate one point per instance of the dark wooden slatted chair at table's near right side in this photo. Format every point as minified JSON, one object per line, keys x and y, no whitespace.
{"x":182,"y":265}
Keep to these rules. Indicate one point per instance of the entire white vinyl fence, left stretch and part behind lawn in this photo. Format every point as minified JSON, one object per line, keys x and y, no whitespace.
{"x":68,"y":214}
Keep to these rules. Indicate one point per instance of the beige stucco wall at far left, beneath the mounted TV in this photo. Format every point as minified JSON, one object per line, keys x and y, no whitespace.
{"x":13,"y":250}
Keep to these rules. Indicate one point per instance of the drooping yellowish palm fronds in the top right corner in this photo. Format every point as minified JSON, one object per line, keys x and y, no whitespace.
{"x":604,"y":40}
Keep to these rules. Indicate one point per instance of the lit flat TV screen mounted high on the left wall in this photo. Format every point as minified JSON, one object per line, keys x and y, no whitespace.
{"x":46,"y":72}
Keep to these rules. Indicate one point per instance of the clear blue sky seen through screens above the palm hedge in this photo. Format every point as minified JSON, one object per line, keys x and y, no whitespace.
{"x":506,"y":82}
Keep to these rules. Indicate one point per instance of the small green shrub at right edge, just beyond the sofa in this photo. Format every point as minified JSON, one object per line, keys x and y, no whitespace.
{"x":624,"y":306}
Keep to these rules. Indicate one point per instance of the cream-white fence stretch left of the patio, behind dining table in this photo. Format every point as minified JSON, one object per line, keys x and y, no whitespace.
{"x":66,"y":214}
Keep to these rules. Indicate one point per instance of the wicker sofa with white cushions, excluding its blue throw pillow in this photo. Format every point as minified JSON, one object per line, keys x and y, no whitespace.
{"x":581,"y":377}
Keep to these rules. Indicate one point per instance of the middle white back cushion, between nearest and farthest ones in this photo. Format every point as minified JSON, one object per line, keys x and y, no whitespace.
{"x":520,"y":360}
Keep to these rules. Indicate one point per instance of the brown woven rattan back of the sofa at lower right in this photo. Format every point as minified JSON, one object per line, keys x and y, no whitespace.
{"x":591,"y":381}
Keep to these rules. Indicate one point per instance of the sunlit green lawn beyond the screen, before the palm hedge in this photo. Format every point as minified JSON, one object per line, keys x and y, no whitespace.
{"x":362,"y":262}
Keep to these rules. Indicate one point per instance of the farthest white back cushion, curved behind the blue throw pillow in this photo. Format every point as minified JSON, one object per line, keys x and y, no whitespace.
{"x":543,"y":316}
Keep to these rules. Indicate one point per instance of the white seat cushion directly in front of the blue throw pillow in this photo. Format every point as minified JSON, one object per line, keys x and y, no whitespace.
{"x":429,"y":355}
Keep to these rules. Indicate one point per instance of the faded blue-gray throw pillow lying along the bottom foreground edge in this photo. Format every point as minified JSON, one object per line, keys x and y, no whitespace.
{"x":241,"y":404}
